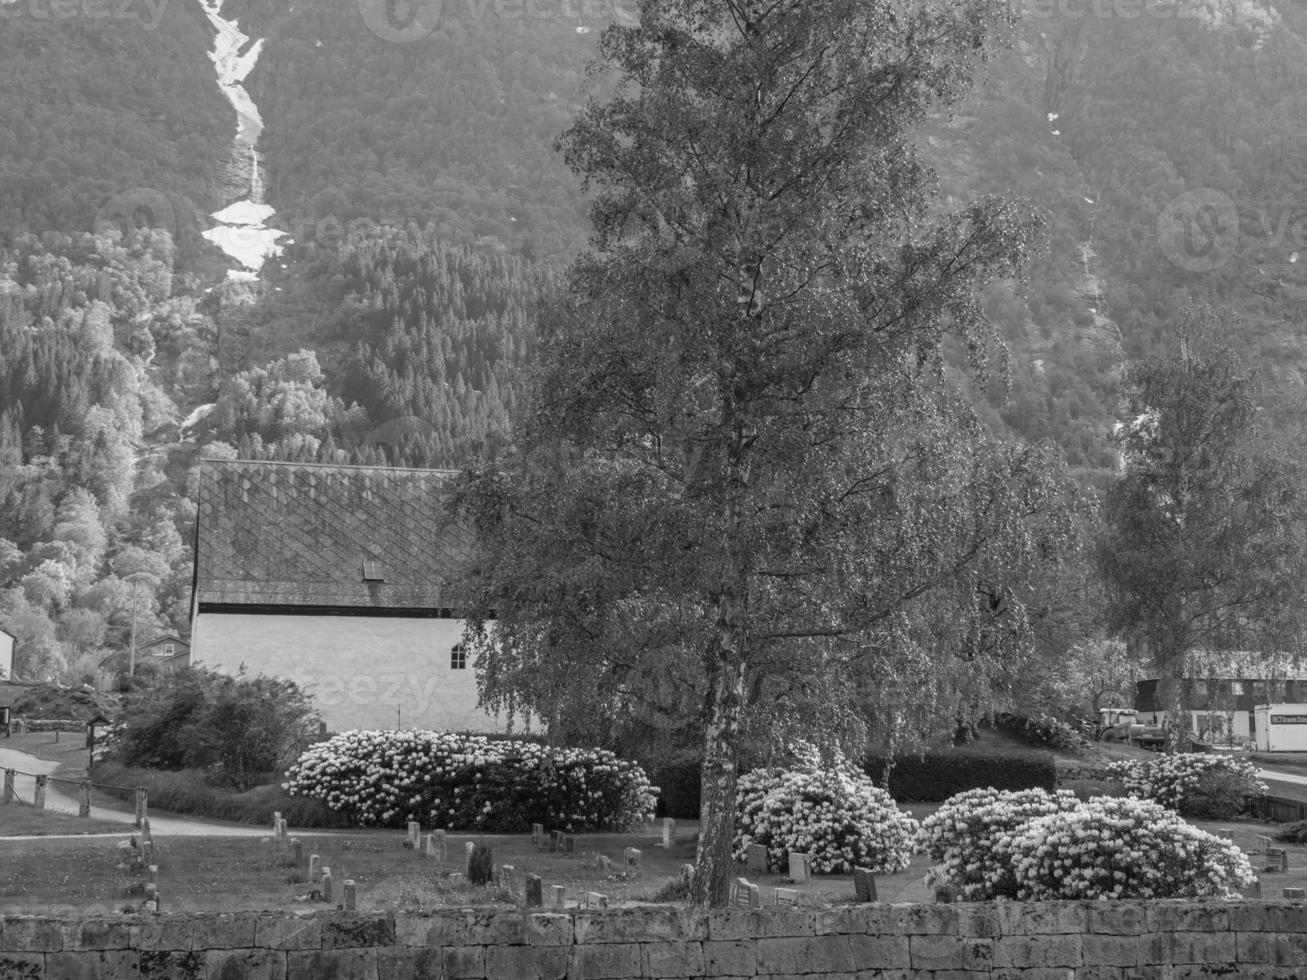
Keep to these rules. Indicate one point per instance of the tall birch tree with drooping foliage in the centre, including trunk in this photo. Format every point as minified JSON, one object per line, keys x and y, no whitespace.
{"x":746,"y":492}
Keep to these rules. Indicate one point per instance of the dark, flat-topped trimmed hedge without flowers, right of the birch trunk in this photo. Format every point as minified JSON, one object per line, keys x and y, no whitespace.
{"x":936,"y":777}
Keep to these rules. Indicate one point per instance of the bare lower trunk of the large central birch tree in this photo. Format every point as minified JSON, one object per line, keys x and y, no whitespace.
{"x":712,"y":885}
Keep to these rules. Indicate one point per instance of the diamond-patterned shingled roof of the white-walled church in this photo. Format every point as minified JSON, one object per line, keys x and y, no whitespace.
{"x":297,"y":535}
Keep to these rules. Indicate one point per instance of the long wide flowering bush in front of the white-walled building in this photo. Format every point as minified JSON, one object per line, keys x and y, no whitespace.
{"x":471,"y":783}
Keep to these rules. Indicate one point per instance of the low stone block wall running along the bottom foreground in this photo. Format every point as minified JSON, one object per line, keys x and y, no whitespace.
{"x":984,"y":941}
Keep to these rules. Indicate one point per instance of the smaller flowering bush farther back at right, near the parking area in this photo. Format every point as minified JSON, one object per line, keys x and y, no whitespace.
{"x":1195,"y":785}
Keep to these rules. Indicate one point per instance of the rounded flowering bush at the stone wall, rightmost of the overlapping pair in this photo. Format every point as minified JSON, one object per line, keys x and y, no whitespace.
{"x":1121,"y":849}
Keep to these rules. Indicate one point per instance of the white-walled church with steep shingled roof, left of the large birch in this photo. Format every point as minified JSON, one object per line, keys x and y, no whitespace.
{"x":338,"y":578}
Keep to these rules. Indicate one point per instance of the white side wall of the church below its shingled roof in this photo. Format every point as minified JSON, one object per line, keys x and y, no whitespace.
{"x":359,"y":670}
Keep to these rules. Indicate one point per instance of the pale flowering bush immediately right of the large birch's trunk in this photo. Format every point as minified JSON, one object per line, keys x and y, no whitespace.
{"x":840,"y":817}
